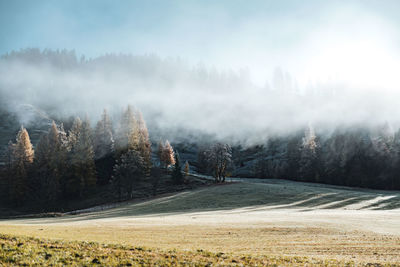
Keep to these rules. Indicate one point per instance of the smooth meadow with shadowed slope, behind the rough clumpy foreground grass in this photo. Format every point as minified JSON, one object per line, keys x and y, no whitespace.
{"x":270,"y":222}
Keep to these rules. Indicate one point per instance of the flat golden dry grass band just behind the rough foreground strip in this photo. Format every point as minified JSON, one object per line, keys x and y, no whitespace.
{"x":359,"y":247}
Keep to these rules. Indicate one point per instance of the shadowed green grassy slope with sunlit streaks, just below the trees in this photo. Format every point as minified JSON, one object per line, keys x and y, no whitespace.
{"x":250,"y":196}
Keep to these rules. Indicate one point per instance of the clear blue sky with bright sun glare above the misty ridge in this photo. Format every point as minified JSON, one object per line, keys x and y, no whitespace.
{"x":357,"y":42}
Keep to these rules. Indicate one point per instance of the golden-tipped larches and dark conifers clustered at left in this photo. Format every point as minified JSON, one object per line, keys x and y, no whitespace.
{"x":71,"y":164}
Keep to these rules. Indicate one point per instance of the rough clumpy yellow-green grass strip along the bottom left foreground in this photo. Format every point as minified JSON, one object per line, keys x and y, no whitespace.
{"x":32,"y":251}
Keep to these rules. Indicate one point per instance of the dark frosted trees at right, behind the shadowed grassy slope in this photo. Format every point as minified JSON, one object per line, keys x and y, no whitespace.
{"x":349,"y":156}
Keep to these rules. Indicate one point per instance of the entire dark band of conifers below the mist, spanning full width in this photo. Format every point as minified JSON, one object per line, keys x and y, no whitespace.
{"x":74,"y":163}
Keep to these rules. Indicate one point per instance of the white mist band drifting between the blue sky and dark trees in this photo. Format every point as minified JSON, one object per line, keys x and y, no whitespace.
{"x":175,"y":95}
